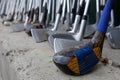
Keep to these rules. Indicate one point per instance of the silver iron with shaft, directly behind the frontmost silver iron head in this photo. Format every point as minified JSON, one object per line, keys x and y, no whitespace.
{"x":73,"y":31}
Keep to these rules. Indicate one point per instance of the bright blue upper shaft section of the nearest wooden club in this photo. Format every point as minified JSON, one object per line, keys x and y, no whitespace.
{"x":103,"y":23}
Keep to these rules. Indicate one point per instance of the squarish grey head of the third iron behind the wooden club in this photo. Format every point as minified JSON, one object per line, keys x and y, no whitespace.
{"x":39,"y":35}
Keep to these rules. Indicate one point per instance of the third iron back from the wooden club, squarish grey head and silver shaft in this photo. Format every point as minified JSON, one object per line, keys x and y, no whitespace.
{"x":40,"y":35}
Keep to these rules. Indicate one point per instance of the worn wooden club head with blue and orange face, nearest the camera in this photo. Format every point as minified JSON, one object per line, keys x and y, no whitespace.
{"x":76,"y":61}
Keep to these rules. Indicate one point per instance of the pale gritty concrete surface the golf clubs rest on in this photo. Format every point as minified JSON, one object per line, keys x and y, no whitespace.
{"x":33,"y":61}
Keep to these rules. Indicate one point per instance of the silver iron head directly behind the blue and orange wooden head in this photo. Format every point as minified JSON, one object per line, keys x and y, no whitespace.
{"x":62,"y":44}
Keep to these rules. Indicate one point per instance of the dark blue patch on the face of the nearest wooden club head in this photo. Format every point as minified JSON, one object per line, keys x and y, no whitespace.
{"x":86,"y":59}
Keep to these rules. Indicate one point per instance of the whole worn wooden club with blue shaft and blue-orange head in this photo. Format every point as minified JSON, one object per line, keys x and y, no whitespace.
{"x":78,"y":61}
